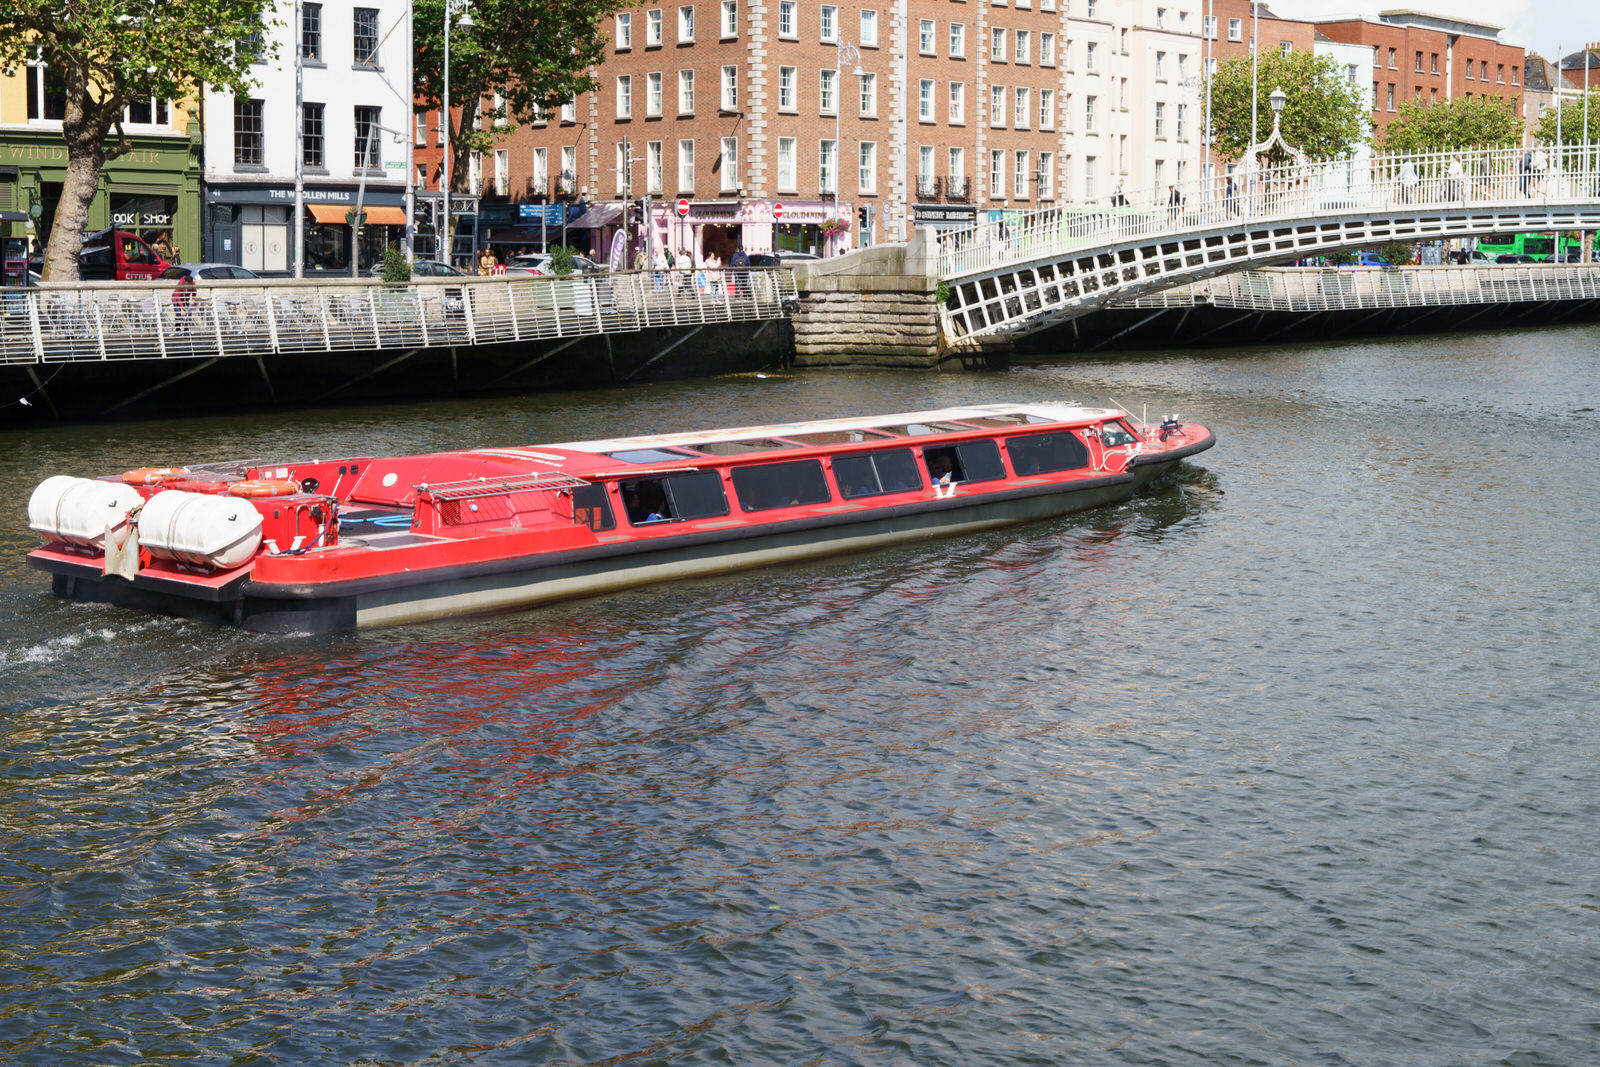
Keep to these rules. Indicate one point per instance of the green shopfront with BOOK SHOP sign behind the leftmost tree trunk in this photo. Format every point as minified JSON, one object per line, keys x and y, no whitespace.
{"x":151,"y":190}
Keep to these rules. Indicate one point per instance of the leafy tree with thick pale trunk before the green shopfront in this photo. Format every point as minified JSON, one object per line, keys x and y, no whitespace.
{"x":110,"y":55}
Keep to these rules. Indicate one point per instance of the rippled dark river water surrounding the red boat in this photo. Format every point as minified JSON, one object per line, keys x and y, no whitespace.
{"x":1292,"y":761}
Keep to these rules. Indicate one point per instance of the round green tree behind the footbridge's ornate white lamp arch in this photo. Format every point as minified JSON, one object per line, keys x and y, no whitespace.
{"x":1326,"y":116}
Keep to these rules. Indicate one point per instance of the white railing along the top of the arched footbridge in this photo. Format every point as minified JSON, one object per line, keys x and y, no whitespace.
{"x":1326,"y":188}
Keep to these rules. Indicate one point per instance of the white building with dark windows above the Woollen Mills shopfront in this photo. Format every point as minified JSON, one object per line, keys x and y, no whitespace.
{"x":356,"y":65}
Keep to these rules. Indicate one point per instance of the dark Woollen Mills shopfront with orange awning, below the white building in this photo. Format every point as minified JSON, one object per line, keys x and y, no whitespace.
{"x":254,"y":226}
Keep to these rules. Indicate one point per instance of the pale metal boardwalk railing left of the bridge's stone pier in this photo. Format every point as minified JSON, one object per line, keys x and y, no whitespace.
{"x":162,"y":321}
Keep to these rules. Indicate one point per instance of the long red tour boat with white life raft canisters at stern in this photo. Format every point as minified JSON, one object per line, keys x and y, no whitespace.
{"x":374,"y":541}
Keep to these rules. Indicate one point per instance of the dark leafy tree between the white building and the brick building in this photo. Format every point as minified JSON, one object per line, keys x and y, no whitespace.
{"x":532,"y":58}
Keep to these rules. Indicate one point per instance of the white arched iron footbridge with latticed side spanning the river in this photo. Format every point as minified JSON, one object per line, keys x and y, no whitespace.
{"x":1033,"y":271}
